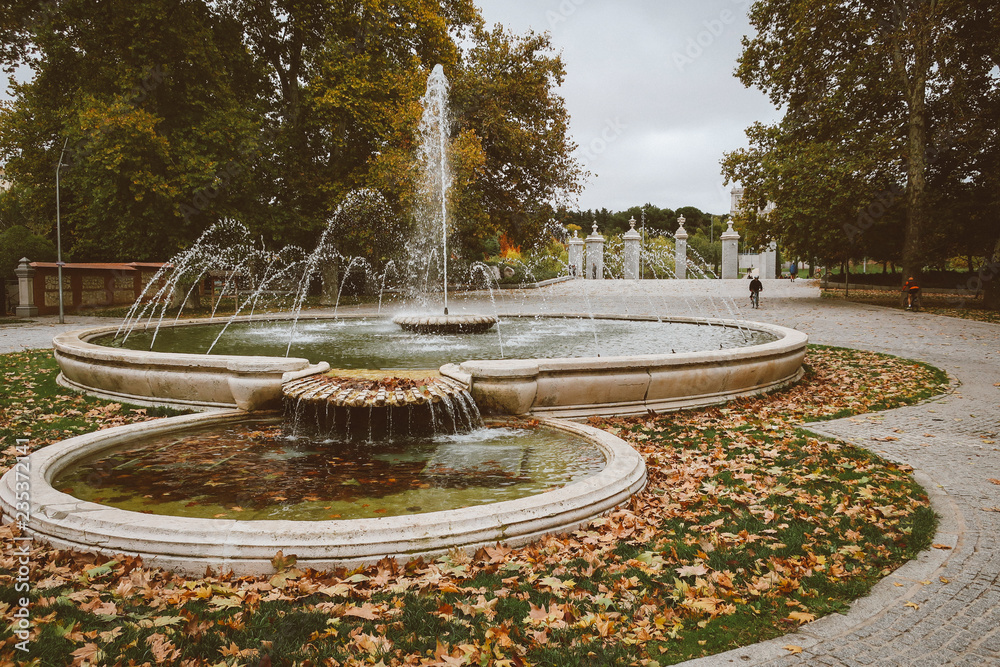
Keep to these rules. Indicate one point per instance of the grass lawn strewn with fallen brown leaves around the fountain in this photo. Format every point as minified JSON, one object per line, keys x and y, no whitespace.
{"x":748,"y":528}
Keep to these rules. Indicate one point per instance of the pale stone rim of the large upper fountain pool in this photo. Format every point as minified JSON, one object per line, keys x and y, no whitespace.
{"x":202,"y":381}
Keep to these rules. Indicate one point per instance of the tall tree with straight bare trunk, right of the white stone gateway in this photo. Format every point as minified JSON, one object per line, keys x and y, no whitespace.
{"x":861,"y":85}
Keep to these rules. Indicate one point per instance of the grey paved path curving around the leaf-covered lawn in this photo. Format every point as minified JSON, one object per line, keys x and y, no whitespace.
{"x":952,"y":443}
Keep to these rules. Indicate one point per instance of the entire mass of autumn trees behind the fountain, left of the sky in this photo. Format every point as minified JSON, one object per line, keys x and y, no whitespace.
{"x":176,"y":113}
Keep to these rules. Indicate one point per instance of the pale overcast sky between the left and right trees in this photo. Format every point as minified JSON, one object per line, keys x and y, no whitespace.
{"x":651,"y":93}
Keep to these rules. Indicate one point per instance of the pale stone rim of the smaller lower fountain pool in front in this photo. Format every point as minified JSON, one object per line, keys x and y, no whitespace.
{"x":189,"y":545}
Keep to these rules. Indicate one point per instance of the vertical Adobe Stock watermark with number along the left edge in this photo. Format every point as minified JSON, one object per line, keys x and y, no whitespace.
{"x":21,"y":609}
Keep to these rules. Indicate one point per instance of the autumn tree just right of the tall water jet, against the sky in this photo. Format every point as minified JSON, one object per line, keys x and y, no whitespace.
{"x":505,"y":92}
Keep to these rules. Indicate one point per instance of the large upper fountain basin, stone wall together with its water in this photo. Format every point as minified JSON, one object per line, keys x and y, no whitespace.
{"x":570,"y":368}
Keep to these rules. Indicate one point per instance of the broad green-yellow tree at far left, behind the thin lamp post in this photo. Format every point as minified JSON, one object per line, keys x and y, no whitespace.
{"x":147,"y":95}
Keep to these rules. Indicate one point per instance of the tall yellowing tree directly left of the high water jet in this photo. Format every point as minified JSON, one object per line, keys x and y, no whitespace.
{"x":341,"y":86}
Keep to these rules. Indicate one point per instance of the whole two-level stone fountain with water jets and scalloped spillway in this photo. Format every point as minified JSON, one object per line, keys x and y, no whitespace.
{"x":545,"y":386}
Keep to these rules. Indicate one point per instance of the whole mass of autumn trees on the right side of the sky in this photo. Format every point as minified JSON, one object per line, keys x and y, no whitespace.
{"x":890,"y":124}
